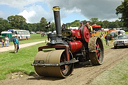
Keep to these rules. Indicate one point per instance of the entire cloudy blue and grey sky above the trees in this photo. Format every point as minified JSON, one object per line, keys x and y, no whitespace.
{"x":34,"y":10}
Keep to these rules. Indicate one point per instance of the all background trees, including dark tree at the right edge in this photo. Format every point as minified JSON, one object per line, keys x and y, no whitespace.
{"x":19,"y":22}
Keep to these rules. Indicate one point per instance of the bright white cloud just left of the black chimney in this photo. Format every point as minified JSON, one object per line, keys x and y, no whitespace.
{"x":34,"y":13}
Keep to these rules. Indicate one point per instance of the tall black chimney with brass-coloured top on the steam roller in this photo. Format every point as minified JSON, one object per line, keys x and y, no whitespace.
{"x":56,"y":11}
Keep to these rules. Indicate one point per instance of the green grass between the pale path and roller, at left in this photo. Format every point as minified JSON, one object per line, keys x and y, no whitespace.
{"x":10,"y":62}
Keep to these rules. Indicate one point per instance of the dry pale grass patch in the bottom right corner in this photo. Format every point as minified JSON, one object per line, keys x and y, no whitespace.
{"x":118,"y":75}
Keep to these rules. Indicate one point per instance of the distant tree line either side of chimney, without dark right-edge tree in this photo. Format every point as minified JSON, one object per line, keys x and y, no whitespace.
{"x":19,"y":22}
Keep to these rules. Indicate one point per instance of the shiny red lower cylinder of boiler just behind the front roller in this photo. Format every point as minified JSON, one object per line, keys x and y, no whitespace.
{"x":75,"y":46}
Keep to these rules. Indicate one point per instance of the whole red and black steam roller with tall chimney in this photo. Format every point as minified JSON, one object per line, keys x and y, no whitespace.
{"x":65,"y":48}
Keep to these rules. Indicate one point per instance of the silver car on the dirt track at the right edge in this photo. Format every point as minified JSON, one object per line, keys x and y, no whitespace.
{"x":121,"y":40}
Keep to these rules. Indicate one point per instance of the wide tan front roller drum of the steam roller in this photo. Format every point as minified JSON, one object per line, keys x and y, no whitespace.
{"x":51,"y":63}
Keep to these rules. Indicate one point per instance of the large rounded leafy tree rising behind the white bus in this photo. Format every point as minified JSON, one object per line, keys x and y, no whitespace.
{"x":17,"y":22}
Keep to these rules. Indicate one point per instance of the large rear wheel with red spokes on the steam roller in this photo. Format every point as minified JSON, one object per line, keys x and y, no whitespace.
{"x":96,"y":49}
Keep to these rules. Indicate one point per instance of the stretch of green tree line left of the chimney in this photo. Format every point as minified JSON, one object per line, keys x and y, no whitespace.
{"x":19,"y":22}
